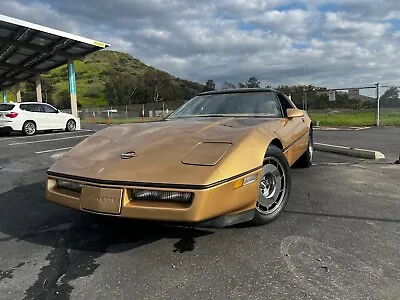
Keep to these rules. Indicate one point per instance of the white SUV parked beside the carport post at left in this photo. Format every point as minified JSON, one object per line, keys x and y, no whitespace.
{"x":30,"y":117}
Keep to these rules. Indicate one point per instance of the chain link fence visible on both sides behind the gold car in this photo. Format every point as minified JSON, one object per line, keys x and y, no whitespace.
{"x":351,"y":106}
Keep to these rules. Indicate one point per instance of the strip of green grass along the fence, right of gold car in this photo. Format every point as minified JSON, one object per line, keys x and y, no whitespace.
{"x":390,"y":117}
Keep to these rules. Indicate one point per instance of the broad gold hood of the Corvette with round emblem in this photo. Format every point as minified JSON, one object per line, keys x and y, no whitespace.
{"x":184,"y":151}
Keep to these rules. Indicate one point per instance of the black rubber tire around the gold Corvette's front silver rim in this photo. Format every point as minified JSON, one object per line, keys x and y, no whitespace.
{"x":261,"y":218}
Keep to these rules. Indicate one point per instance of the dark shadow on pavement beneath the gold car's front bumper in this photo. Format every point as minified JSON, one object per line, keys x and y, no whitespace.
{"x":26,"y":215}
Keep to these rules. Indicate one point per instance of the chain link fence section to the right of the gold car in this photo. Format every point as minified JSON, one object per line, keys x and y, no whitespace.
{"x":352,"y":106}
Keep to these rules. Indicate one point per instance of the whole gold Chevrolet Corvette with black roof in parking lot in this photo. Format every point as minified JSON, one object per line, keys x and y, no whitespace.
{"x":222,"y":158}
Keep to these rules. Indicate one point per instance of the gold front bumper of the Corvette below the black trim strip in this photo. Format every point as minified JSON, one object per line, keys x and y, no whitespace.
{"x":217,"y":206}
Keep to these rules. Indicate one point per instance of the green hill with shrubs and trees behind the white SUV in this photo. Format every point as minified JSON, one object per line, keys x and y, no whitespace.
{"x":110,"y":78}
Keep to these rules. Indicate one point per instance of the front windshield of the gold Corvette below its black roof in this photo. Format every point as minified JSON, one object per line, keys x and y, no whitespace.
{"x":262,"y":104}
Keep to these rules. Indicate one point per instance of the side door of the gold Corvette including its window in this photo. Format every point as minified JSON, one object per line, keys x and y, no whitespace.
{"x":294,"y":129}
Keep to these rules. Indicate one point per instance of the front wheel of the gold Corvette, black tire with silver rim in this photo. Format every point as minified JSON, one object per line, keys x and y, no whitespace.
{"x":275,"y":176}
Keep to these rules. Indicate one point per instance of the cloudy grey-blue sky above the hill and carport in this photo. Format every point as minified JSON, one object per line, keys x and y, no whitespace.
{"x":338,"y":43}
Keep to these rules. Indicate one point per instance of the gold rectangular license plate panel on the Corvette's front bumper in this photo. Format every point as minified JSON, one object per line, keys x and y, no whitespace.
{"x":102,"y":200}
